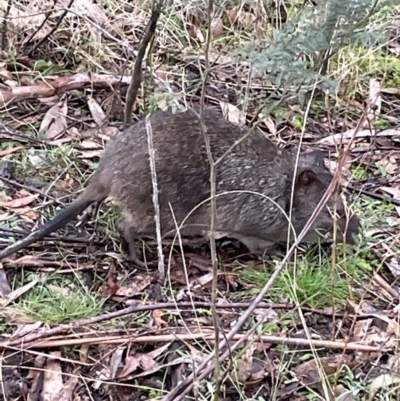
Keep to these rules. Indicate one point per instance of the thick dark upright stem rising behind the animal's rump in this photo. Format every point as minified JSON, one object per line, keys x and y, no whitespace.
{"x":137,"y":70}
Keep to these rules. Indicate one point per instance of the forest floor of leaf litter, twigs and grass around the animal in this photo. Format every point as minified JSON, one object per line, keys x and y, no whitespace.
{"x":80,"y":322}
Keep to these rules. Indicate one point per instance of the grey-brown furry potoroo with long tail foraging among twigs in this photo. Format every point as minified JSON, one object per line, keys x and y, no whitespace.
{"x":254,"y":185}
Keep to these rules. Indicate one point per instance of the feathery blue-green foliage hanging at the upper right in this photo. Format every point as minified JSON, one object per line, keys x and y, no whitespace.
{"x":298,"y":53}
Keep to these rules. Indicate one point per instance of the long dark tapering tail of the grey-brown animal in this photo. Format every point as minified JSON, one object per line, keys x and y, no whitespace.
{"x":65,"y":216}
